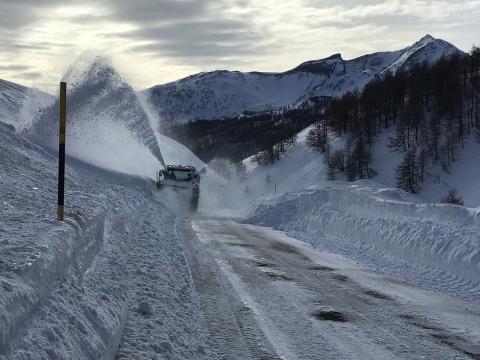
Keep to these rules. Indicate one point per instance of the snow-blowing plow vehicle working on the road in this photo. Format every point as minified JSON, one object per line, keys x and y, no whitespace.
{"x":183,"y":178}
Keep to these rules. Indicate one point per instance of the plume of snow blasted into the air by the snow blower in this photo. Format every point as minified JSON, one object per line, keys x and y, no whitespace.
{"x":101,"y":108}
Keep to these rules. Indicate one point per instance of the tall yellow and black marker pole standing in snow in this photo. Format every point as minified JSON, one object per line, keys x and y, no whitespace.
{"x":61,"y":149}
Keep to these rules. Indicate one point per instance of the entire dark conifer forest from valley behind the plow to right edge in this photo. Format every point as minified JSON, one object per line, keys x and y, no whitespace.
{"x":430,"y":109}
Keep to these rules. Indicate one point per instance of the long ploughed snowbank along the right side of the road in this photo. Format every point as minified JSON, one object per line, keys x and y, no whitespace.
{"x":433,"y":244}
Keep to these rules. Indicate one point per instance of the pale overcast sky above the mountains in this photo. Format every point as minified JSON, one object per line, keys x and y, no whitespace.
{"x":156,"y":41}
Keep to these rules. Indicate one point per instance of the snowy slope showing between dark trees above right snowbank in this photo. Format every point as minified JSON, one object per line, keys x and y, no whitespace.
{"x":301,"y":167}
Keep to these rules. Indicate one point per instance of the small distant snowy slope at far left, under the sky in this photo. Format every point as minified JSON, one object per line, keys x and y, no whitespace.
{"x":17,"y":101}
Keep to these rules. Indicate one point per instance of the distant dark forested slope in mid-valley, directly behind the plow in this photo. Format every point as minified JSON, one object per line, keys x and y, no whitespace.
{"x":268,"y":132}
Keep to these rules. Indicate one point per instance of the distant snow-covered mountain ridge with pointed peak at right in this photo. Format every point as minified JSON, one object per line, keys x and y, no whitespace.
{"x":218,"y":94}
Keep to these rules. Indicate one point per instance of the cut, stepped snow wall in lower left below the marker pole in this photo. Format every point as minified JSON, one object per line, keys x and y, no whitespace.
{"x":77,"y":301}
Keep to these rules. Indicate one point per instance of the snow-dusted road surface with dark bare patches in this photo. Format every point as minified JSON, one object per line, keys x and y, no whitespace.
{"x":268,"y":296}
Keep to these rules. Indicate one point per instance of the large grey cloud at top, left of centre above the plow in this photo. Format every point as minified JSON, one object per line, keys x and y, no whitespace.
{"x":186,"y":29}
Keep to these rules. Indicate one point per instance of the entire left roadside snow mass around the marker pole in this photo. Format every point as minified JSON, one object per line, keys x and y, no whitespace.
{"x":68,"y":289}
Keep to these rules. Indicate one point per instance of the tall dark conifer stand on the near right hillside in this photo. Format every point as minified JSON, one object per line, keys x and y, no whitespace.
{"x":433,"y":110}
